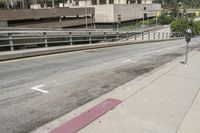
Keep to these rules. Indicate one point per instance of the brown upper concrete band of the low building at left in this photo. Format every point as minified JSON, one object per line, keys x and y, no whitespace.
{"x":19,"y":14}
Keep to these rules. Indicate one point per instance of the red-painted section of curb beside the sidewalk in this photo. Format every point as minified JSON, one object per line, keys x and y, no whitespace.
{"x":87,"y":117}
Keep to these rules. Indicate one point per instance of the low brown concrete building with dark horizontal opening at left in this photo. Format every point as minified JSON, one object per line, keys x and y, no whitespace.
{"x":47,"y":18}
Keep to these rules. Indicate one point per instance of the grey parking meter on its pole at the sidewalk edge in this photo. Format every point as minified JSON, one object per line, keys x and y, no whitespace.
{"x":188,"y":36}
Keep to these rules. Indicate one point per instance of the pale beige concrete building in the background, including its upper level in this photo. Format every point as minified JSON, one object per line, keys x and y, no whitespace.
{"x":107,"y":12}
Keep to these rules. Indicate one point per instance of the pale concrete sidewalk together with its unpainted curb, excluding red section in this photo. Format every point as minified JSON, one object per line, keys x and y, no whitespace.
{"x":166,"y":100}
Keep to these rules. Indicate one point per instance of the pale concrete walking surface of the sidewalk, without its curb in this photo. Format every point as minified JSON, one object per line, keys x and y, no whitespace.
{"x":169,"y":104}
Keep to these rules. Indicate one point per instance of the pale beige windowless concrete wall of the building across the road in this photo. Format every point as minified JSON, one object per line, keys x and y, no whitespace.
{"x":109,"y":13}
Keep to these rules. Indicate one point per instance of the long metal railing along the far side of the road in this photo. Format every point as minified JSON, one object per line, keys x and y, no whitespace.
{"x":15,"y":40}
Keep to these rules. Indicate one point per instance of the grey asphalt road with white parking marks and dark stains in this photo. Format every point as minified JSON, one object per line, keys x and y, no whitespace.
{"x":37,"y":90}
